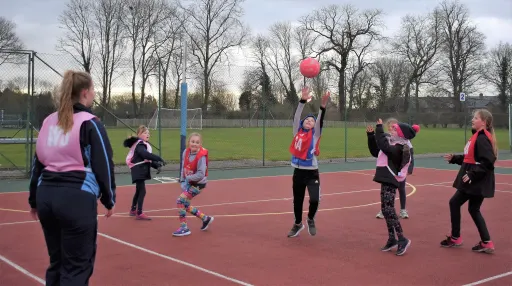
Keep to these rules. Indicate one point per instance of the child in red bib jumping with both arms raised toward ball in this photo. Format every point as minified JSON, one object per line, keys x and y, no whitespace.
{"x":305,"y":149}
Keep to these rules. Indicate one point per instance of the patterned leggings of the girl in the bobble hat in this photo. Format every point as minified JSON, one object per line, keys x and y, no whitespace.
{"x":387,"y":204}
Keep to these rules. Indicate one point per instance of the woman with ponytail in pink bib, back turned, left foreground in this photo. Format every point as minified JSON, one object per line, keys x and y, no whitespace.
{"x":73,"y":167}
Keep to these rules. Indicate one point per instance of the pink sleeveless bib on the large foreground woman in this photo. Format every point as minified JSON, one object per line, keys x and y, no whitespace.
{"x":61,"y":152}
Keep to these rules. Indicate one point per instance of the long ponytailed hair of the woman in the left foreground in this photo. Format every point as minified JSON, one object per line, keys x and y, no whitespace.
{"x":72,"y":85}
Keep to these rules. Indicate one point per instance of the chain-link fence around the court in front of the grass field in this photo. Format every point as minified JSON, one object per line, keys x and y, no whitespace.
{"x":246,"y":120}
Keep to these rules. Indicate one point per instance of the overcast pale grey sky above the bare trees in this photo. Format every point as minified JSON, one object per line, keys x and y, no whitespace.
{"x":38,"y":26}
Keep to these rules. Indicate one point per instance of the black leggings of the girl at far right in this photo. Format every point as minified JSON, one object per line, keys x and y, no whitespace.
{"x":475,"y":202}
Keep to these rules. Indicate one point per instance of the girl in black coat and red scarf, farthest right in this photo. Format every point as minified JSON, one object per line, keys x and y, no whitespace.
{"x":475,"y":180}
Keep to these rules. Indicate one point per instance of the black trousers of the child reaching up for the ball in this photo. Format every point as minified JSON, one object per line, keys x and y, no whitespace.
{"x":303,"y":179}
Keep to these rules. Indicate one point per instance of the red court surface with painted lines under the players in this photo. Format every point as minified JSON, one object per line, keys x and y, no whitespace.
{"x":247,"y":243}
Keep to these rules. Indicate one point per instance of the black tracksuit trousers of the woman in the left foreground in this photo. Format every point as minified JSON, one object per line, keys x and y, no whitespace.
{"x":68,"y":217}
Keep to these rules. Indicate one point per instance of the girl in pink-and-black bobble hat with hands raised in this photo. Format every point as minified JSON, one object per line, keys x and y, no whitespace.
{"x":393,"y":159}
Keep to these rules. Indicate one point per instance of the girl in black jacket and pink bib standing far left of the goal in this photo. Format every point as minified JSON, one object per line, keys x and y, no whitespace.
{"x":140,"y":160}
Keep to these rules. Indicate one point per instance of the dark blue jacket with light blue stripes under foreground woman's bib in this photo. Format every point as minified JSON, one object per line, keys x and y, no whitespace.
{"x":94,"y":136}
